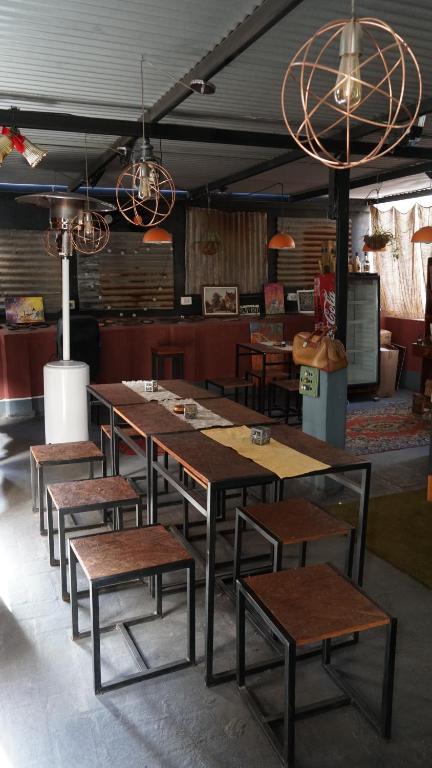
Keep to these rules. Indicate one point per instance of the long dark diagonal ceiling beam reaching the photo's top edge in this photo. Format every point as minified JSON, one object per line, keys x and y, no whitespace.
{"x":269,"y":13}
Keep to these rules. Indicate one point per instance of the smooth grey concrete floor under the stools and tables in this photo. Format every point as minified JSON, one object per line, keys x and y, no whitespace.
{"x":50,"y":718}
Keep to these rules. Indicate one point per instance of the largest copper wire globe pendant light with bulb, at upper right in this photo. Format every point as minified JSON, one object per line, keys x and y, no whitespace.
{"x":375,"y":65}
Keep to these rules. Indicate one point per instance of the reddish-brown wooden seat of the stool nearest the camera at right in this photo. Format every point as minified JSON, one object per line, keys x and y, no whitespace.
{"x":315,"y":603}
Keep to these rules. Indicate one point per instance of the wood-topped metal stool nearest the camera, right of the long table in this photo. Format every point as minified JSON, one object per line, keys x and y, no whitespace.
{"x":304,"y":606}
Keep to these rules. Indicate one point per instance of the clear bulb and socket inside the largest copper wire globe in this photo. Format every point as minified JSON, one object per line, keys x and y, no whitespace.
{"x":348,"y":92}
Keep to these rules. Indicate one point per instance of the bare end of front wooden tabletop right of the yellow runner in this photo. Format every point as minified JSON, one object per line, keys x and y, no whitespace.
{"x":316,"y":449}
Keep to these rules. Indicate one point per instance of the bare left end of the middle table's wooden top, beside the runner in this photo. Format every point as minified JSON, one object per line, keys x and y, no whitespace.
{"x":152,"y":418}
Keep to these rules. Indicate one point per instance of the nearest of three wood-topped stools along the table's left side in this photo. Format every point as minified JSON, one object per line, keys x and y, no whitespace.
{"x":111,"y":559}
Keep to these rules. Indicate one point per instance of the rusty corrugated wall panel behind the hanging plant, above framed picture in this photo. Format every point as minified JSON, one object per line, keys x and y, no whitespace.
{"x":239,"y":250}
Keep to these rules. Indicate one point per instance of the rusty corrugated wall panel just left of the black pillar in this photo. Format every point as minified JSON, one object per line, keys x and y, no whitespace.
{"x":298,"y":267}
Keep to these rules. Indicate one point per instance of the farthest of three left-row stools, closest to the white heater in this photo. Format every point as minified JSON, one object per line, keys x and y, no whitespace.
{"x":55,"y":454}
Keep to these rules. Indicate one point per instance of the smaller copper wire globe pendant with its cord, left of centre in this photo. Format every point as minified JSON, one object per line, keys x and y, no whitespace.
{"x":145,"y":189}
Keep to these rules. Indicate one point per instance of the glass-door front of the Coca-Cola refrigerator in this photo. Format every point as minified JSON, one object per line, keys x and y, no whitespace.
{"x":363,"y":331}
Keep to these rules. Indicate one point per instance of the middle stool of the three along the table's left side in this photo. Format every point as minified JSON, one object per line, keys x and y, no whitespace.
{"x":86,"y":496}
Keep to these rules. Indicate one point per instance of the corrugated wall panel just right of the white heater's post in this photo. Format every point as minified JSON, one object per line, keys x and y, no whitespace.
{"x":127,"y":274}
